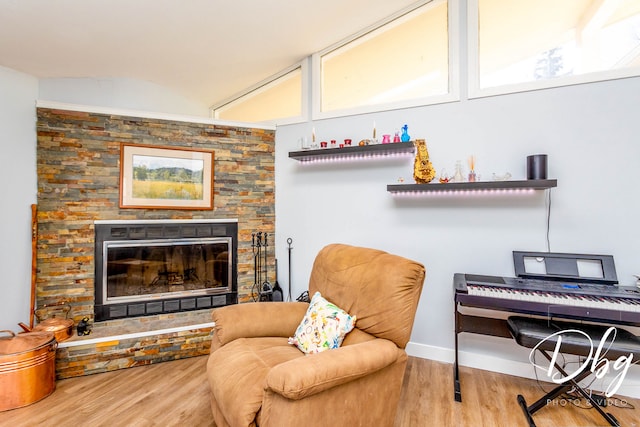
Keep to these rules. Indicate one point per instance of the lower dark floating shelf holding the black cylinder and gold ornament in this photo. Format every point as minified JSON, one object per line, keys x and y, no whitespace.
{"x":488,"y":186}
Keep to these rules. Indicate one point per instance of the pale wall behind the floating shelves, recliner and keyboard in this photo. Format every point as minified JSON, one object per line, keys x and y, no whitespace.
{"x":590,"y":133}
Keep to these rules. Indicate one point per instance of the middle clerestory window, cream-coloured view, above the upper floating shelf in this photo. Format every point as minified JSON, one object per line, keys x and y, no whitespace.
{"x":404,"y":62}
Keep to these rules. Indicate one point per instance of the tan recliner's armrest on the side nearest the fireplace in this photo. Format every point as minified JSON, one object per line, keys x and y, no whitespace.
{"x":260,"y":319}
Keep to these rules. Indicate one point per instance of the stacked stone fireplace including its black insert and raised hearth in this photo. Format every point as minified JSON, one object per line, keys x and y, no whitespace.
{"x":78,"y":166}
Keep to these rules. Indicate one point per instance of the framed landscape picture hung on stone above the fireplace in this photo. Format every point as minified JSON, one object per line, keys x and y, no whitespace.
{"x":165,"y":178}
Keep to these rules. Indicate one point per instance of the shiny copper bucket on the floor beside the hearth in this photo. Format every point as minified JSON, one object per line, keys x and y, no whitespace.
{"x":27,"y":368}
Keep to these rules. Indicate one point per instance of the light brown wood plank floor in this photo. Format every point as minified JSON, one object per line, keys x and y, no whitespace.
{"x":176,"y":394}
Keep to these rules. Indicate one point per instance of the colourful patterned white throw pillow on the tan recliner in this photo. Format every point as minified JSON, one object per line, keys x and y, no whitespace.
{"x":323,"y":327}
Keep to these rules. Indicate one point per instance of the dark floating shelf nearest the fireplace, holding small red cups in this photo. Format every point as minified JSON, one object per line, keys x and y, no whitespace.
{"x":351,"y":152}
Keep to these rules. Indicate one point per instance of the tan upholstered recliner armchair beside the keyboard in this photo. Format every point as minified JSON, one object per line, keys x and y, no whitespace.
{"x":257,"y":378}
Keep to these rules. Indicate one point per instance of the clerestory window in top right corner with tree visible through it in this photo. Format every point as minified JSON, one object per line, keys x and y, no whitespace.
{"x":517,"y":45}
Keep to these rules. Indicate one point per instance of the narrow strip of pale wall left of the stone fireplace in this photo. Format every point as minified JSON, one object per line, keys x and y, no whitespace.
{"x":17,"y":192}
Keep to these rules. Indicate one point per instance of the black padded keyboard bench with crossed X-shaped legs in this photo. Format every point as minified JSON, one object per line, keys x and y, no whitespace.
{"x":535,"y":333}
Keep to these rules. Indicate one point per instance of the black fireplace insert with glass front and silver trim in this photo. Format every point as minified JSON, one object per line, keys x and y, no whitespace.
{"x":149,"y":267}
